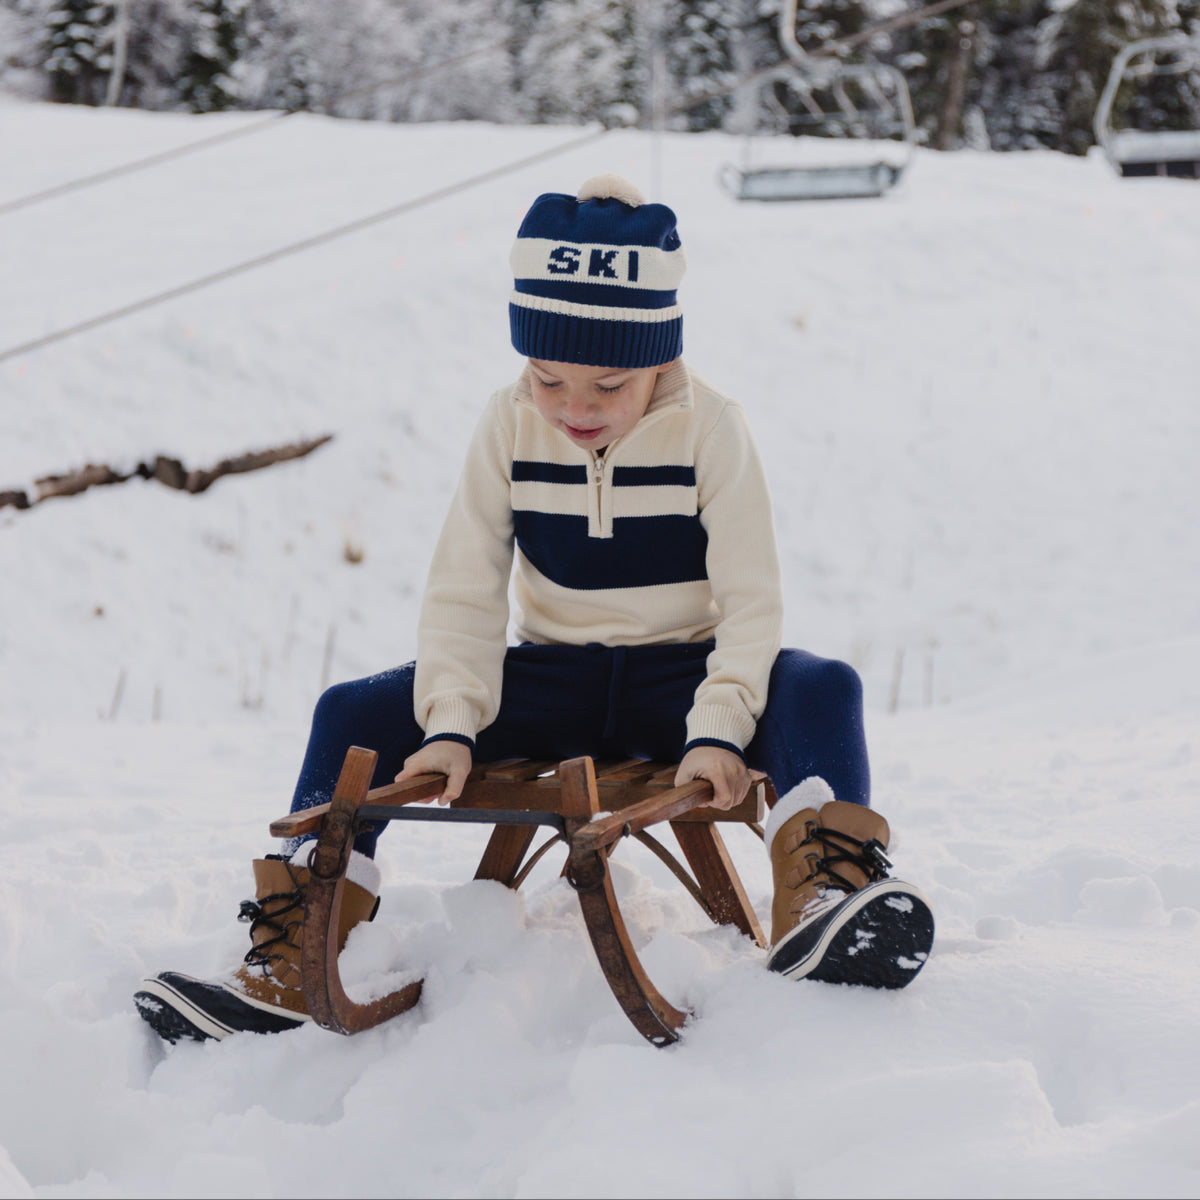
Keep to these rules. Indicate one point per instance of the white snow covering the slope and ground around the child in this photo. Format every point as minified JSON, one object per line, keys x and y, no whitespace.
{"x":977,"y":405}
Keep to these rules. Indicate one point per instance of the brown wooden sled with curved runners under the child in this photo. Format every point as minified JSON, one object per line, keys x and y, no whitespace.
{"x":589,"y":807}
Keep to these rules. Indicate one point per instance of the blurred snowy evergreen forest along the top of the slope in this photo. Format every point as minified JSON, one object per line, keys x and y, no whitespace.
{"x":1001,"y":75}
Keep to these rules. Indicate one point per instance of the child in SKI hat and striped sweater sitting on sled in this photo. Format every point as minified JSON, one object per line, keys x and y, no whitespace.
{"x":632,"y":499}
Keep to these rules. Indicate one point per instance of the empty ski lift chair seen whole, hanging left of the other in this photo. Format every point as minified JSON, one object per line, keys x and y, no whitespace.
{"x":827,"y":92}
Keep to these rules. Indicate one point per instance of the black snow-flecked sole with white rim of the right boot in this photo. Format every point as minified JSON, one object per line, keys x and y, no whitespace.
{"x":878,"y":938}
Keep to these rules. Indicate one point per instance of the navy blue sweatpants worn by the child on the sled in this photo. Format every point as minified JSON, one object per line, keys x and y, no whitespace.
{"x":610,"y":703}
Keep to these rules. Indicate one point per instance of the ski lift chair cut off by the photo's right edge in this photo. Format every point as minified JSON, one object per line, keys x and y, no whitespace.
{"x":1138,"y":153}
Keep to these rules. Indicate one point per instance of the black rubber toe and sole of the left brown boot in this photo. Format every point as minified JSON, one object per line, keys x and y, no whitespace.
{"x":177,"y":1006}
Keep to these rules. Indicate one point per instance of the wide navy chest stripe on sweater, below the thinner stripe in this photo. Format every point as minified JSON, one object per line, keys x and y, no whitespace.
{"x":643,"y":553}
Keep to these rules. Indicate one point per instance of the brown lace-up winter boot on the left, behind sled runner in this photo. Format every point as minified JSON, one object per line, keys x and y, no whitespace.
{"x":263,"y":995}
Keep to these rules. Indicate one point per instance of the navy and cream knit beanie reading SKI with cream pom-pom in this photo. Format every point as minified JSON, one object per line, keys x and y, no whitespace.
{"x":596,"y":279}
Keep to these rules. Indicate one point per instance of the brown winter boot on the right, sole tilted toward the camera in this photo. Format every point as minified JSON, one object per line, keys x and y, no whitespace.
{"x":837,"y":916}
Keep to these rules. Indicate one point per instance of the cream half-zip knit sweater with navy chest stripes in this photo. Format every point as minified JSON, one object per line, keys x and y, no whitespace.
{"x":667,"y":537}
